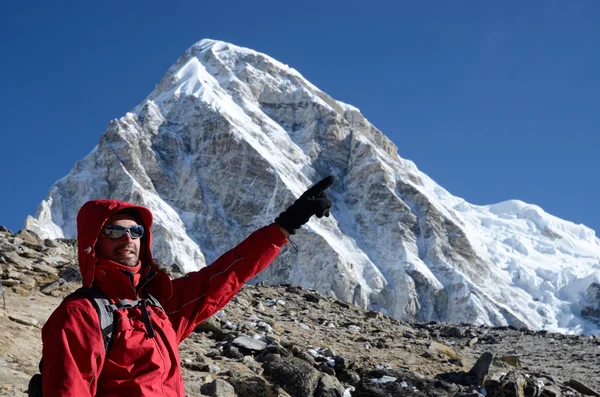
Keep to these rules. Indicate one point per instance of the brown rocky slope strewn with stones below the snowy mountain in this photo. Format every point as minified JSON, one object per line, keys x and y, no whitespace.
{"x":290,"y":341}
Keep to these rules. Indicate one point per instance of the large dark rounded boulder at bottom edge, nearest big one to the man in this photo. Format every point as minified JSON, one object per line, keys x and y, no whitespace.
{"x":295,"y":376}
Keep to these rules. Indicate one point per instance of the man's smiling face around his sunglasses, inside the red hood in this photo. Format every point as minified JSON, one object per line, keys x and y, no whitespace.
{"x":124,"y":250}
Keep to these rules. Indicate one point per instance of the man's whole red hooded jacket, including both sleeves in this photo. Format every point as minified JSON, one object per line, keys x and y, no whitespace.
{"x":75,"y":363}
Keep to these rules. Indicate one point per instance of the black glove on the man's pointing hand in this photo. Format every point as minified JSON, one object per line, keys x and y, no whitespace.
{"x":314,"y":201}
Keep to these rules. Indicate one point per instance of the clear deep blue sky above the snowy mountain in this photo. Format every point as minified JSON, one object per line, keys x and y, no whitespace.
{"x":494,"y":100}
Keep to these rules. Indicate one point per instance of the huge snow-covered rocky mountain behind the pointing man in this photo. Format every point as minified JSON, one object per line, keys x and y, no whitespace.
{"x":230,"y":137}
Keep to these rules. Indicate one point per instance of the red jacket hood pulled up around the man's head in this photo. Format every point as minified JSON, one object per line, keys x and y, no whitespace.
{"x":91,"y":219}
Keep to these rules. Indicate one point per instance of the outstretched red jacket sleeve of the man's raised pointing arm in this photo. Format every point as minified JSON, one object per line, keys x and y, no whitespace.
{"x":201,"y":294}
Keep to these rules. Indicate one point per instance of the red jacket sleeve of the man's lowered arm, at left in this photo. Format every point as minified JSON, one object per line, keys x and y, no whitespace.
{"x":73,"y":350}
